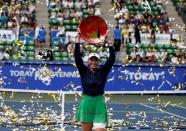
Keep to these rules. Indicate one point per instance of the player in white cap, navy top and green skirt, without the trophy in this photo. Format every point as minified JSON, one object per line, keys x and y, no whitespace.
{"x":92,"y":112}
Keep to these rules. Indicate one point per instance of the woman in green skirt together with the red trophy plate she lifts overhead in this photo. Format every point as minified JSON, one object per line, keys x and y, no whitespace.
{"x":92,"y":112}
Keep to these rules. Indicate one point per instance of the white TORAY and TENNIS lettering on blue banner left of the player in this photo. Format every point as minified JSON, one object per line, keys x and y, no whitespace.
{"x":28,"y":73}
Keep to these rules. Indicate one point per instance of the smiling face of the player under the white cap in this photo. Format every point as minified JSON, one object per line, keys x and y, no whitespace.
{"x":93,"y":63}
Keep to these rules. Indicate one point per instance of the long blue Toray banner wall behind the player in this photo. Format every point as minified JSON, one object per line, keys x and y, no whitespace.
{"x":65,"y":77}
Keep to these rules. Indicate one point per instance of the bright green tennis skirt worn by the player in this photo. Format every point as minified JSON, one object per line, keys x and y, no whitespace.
{"x":92,"y":109}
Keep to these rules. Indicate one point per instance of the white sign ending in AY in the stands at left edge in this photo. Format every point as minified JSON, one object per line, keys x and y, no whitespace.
{"x":7,"y":35}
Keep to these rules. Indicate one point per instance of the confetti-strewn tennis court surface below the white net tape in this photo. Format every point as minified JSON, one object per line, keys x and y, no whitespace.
{"x":21,"y":111}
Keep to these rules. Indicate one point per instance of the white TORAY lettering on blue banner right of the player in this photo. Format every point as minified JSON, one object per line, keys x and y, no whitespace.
{"x":143,"y":75}
